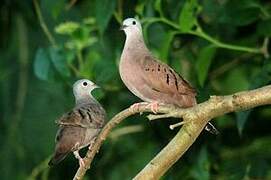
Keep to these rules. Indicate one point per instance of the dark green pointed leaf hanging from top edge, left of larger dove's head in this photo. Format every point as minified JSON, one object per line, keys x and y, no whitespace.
{"x":104,"y":10}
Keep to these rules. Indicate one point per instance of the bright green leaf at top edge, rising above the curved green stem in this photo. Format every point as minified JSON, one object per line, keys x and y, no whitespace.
{"x":188,"y":16}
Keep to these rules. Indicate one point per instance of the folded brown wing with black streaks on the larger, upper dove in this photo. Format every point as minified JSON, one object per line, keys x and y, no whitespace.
{"x":162,"y":78}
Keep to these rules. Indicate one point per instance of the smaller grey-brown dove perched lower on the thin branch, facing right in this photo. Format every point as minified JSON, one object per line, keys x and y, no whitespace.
{"x":79,"y":127}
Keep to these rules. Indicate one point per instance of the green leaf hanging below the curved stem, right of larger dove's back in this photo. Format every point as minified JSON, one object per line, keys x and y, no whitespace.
{"x":204,"y":61}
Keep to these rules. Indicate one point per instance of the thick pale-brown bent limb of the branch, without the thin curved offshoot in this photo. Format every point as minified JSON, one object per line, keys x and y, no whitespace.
{"x":199,"y":116}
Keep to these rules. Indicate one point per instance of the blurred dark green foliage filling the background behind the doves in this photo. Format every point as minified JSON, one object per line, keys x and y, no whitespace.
{"x":220,"y":46}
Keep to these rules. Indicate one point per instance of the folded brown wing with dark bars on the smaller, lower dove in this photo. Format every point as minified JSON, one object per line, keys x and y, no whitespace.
{"x":84,"y":115}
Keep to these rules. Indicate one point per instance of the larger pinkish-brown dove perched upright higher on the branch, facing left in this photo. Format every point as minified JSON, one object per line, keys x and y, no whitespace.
{"x":150,"y":79}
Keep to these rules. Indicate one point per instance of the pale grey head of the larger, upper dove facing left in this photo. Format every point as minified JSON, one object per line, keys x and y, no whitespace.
{"x":131,"y":26}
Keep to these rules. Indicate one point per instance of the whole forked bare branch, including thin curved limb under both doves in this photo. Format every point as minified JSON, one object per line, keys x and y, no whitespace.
{"x":196,"y":117}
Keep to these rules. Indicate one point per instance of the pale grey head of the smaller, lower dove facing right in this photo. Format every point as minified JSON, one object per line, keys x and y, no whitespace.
{"x":83,"y":87}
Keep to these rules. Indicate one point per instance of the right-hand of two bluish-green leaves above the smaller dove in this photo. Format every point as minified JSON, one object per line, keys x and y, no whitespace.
{"x":59,"y":62}
